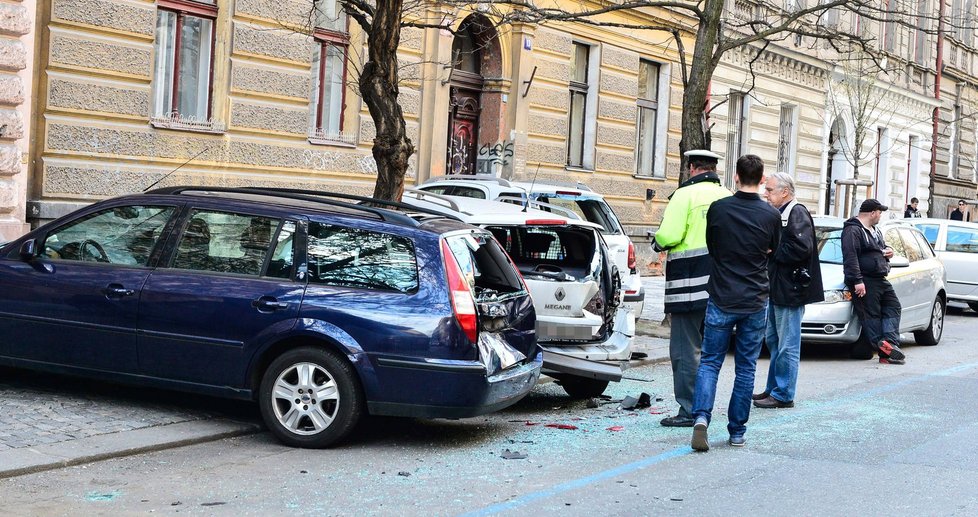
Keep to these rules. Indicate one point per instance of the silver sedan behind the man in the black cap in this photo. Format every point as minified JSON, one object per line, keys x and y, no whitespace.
{"x":917,"y":275}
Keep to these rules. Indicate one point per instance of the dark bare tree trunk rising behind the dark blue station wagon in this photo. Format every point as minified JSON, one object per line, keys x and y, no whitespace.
{"x":378,"y":86}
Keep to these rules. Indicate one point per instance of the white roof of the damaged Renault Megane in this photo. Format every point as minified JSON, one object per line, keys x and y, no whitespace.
{"x":482,"y":212}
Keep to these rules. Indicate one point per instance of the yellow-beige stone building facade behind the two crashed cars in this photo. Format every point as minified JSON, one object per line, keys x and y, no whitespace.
{"x":133,"y":93}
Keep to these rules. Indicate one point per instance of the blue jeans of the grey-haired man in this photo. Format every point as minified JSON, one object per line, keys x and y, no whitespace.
{"x":784,"y":342}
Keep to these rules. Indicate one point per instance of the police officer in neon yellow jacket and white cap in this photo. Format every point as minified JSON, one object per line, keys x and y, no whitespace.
{"x":682,"y":234}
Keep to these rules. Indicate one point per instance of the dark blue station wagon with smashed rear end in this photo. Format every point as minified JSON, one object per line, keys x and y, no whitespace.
{"x":316,"y":306}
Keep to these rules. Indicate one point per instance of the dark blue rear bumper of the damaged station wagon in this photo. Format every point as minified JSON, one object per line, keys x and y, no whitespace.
{"x":453,"y":390}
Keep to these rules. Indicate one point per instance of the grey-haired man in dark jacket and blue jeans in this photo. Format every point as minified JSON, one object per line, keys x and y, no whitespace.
{"x":796,"y":280}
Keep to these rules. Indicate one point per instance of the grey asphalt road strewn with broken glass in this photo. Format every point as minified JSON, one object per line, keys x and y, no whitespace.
{"x":864,"y":439}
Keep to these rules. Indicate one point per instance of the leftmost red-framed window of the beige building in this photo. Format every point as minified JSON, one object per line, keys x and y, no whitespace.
{"x":184,"y":64}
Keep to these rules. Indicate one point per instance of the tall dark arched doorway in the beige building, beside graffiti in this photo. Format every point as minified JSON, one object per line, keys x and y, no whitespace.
{"x":475,"y":54}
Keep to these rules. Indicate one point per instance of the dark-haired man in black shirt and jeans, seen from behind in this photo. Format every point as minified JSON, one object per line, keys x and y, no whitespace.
{"x":741,"y":233}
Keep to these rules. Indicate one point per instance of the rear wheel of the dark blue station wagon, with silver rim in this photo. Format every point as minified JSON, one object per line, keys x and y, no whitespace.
{"x":310,"y":397}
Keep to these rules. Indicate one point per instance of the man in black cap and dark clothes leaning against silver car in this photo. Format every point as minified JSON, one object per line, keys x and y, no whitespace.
{"x":865,"y":264}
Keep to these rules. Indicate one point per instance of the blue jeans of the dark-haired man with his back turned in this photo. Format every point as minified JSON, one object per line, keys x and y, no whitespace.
{"x":719,"y":326}
